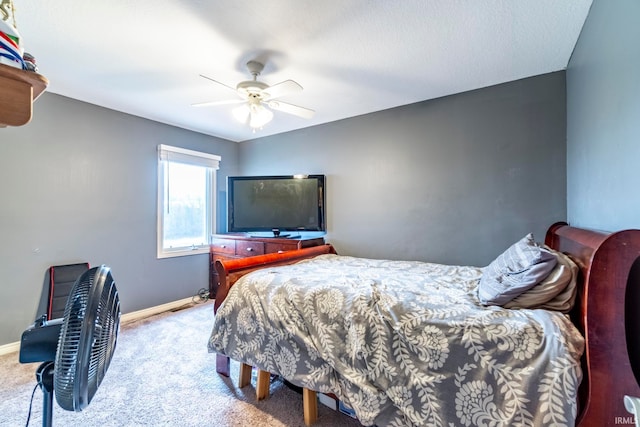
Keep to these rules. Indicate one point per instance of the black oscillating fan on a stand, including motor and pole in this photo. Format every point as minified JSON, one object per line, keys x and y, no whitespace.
{"x":76,"y":349}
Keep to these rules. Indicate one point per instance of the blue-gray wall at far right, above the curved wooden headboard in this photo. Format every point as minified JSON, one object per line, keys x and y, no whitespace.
{"x":603,"y":119}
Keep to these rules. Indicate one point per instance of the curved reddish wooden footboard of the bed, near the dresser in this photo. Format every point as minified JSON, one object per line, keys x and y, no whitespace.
{"x":229,"y":271}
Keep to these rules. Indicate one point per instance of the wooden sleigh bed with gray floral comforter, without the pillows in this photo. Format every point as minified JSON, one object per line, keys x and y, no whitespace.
{"x":439,"y":358}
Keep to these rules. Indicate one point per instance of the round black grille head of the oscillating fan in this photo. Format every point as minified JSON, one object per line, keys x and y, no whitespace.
{"x":87,"y":338}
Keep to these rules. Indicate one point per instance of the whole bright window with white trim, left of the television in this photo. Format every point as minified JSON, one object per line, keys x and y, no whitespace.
{"x":186,"y":201}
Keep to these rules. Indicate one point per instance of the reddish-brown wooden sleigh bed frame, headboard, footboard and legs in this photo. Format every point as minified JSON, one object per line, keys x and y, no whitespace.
{"x":607,"y":312}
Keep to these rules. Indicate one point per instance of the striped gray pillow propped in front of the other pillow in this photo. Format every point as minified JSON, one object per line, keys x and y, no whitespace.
{"x":515,"y":271}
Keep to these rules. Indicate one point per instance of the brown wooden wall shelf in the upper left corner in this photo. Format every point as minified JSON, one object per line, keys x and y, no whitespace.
{"x":19,"y":88}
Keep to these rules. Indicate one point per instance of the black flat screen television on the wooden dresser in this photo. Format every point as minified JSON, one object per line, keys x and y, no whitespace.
{"x":276,"y":203}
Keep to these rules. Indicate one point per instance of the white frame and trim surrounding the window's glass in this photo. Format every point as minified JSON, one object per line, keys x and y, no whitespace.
{"x":171,"y":154}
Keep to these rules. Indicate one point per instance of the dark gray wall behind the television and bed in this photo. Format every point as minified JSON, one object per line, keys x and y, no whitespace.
{"x":453,"y":180}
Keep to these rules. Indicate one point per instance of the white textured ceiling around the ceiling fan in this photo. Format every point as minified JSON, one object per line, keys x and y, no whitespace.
{"x":352,"y":57}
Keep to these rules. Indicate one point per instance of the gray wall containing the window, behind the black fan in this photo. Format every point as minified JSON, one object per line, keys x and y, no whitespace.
{"x":78,"y":183}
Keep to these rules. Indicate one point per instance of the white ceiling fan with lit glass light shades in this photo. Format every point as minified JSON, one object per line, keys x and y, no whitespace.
{"x":258,"y":99}
